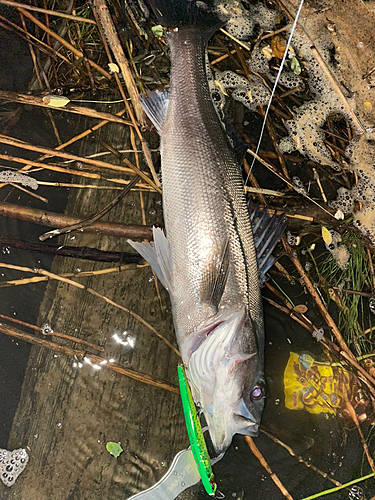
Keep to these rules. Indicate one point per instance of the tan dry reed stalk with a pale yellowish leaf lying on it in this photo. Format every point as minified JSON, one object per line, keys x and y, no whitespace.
{"x":69,"y":108}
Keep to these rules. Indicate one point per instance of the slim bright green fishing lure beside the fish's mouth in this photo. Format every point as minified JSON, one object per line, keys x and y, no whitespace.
{"x":197,"y":442}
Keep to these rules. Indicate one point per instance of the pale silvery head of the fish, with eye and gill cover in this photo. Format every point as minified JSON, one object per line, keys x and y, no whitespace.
{"x":226,"y":375}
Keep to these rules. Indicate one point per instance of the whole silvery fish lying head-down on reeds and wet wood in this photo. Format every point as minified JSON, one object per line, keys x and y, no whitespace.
{"x":207,"y":261}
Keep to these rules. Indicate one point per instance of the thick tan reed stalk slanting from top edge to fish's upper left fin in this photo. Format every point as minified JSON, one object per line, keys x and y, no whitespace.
{"x":109,"y":32}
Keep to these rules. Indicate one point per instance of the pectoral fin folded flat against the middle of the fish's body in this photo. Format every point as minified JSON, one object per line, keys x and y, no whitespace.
{"x":216,"y":270}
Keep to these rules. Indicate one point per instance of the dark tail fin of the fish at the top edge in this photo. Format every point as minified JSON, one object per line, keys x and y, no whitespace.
{"x":203,"y":15}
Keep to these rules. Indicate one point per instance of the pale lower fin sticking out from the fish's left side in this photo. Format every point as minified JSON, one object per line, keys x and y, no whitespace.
{"x":158,"y":255}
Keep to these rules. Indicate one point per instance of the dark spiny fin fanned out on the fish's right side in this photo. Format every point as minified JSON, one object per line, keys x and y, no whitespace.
{"x":267,"y":231}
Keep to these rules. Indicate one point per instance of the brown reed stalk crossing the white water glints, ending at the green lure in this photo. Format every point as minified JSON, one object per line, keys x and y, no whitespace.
{"x":68,"y":351}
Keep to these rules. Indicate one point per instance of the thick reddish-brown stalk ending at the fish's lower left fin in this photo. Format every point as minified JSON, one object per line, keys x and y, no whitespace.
{"x":44,"y":218}
